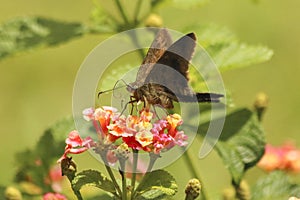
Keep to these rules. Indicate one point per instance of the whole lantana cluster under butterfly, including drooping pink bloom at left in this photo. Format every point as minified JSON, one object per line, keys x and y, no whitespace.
{"x":139,"y":132}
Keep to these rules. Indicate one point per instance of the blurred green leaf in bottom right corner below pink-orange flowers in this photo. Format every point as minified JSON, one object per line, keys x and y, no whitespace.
{"x":276,"y":185}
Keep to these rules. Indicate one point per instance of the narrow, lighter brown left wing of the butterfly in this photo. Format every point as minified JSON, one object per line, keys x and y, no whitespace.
{"x":159,"y":45}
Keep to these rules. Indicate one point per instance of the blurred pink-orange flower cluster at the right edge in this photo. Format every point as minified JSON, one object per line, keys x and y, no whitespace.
{"x":285,"y":157}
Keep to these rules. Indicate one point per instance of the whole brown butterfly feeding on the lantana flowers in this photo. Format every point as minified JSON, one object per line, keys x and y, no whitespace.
{"x":163,"y":75}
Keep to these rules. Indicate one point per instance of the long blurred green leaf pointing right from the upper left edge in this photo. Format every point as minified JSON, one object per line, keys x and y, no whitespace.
{"x":25,"y":33}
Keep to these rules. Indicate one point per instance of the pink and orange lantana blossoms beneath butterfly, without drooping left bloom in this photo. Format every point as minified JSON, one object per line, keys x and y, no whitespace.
{"x":140,"y":132}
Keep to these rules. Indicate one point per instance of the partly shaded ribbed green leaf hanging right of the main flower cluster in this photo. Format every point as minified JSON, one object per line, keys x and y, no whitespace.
{"x":241,"y":143}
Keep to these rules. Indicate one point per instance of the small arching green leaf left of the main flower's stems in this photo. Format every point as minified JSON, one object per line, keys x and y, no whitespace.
{"x":93,"y":178}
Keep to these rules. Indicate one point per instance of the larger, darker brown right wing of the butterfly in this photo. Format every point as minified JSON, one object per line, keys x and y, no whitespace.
{"x":171,"y":70}
